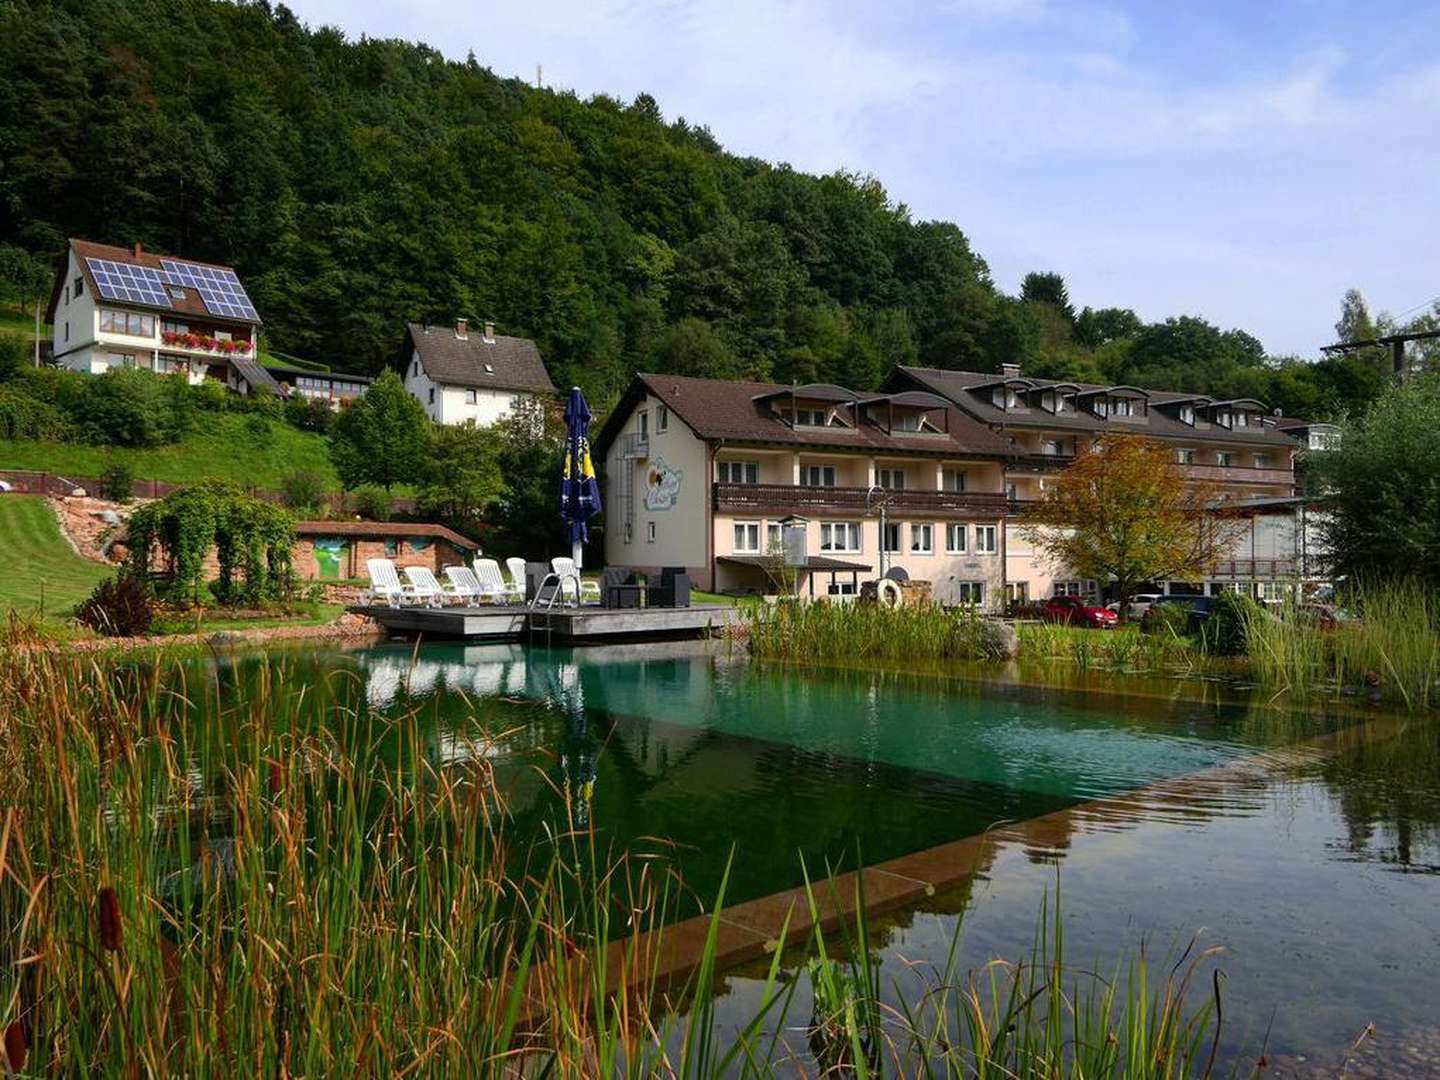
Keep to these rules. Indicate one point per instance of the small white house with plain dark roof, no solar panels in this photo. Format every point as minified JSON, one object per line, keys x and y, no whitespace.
{"x":463,"y":375}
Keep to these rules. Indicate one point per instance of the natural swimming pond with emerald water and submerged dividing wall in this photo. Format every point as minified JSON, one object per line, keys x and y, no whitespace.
{"x":1315,"y":870}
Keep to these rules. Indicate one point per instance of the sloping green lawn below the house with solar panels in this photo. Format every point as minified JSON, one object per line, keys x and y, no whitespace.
{"x":222,"y":449}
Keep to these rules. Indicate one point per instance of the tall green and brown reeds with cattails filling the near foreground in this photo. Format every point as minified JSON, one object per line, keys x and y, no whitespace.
{"x":198,"y":882}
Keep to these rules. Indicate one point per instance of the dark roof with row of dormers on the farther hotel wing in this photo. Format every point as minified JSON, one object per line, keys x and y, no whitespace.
{"x":973,"y":392}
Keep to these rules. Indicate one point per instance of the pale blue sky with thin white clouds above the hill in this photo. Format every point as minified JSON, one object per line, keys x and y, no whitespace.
{"x":1241,"y":162}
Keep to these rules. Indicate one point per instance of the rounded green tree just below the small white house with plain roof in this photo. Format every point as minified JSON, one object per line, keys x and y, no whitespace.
{"x":382,"y":438}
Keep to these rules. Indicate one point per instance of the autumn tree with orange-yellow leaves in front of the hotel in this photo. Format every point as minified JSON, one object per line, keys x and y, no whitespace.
{"x":1125,"y":512}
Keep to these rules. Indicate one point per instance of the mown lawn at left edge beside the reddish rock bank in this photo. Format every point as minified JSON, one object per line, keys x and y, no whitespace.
{"x":41,"y":567}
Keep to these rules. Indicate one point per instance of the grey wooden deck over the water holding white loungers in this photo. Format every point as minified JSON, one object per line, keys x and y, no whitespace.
{"x":510,"y":623}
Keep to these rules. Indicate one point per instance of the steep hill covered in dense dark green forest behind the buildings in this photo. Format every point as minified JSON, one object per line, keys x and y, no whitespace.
{"x":361,"y":185}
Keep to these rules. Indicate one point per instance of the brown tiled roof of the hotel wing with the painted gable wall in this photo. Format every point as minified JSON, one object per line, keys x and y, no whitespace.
{"x":718,"y":410}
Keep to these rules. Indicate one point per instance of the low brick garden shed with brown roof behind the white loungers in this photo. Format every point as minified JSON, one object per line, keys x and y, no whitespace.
{"x":338,"y":551}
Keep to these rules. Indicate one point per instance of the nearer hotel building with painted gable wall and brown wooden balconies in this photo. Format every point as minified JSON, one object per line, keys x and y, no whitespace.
{"x":708,"y":474}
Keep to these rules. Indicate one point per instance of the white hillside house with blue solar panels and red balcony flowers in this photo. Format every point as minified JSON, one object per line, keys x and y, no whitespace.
{"x":126,"y":307}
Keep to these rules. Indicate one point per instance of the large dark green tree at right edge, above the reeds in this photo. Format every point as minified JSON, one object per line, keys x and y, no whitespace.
{"x":1385,"y":487}
